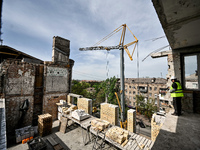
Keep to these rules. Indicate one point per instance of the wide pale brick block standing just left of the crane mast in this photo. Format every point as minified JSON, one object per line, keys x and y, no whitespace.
{"x":110,"y":113}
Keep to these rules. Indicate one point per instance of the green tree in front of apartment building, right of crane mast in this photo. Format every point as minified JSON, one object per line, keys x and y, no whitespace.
{"x":146,"y":108}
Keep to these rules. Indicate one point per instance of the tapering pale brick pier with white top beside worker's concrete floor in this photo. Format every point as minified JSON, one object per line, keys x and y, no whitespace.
{"x":156,"y":124}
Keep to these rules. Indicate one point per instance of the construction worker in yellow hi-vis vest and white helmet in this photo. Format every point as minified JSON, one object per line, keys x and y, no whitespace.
{"x":177,"y":93}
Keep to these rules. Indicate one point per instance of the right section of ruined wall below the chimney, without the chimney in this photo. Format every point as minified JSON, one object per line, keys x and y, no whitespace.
{"x":56,"y":87}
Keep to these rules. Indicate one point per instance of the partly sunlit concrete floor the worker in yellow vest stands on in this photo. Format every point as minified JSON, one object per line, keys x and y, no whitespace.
{"x":179,"y":132}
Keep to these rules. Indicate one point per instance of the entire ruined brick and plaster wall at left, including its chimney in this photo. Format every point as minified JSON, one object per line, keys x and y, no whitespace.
{"x":42,"y":84}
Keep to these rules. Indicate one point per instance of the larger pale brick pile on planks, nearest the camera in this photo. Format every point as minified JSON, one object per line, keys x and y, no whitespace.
{"x":117,"y":134}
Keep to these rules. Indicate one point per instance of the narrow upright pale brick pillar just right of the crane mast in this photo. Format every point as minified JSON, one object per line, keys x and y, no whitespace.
{"x":131,"y":118}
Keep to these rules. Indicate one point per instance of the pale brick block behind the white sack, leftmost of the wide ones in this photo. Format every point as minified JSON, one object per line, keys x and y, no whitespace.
{"x":85,"y":104}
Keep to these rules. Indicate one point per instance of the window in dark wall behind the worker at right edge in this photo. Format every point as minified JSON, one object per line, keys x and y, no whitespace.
{"x":191,"y":72}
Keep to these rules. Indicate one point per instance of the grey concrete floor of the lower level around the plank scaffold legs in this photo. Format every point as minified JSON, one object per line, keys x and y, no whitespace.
{"x":71,"y":140}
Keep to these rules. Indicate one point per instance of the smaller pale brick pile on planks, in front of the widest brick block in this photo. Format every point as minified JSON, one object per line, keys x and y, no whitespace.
{"x":99,"y":124}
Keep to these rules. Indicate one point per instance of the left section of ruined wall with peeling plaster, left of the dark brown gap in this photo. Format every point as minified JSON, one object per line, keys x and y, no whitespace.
{"x":19,"y":86}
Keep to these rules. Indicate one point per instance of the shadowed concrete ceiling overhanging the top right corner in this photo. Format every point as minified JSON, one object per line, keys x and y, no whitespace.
{"x":180,"y":20}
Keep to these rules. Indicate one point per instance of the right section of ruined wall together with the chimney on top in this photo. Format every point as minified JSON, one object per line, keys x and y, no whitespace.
{"x":57,"y":76}
